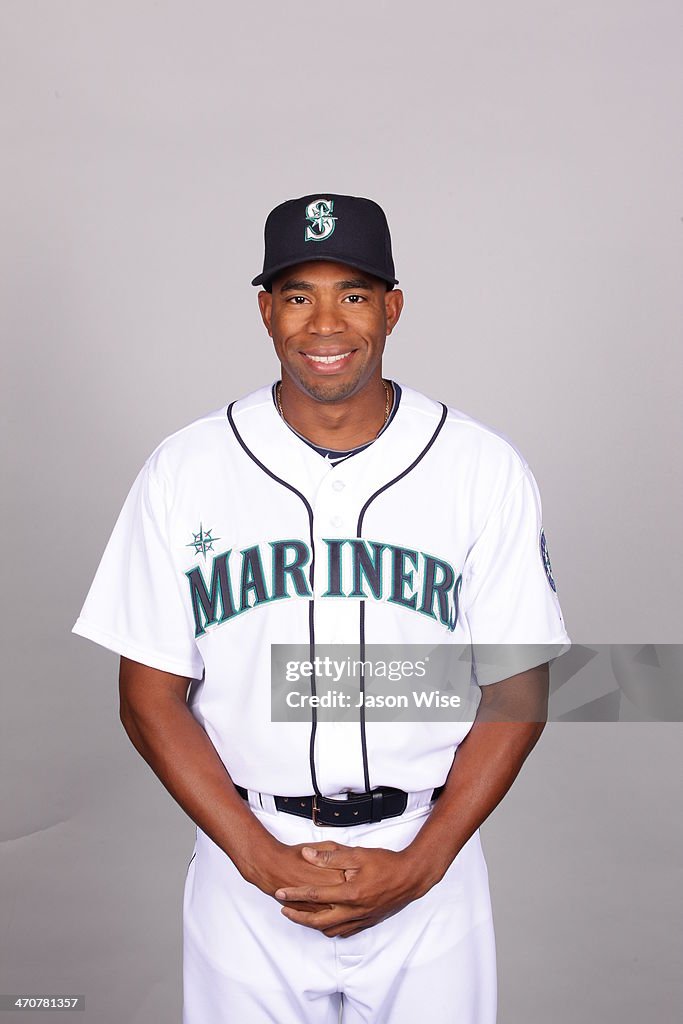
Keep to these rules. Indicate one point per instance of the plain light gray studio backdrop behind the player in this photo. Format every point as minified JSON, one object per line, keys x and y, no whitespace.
{"x":529,"y":158}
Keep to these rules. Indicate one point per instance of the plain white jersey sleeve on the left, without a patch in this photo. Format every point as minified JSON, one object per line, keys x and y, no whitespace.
{"x":135,"y":606}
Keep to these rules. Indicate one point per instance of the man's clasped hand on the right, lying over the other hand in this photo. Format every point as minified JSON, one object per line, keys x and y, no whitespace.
{"x":379,"y":883}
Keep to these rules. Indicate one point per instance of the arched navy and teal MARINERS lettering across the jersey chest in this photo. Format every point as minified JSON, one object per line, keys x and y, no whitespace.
{"x":353,"y":569}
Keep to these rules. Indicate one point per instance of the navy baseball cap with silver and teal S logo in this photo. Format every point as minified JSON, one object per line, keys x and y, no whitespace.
{"x":327,"y":227}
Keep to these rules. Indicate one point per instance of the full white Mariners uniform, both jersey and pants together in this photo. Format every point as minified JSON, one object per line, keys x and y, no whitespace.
{"x":238,"y":535}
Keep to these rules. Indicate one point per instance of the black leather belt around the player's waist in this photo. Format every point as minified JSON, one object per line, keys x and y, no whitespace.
{"x":359,"y":809}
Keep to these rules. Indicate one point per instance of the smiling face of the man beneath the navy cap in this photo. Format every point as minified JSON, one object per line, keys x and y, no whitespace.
{"x":329,"y":323}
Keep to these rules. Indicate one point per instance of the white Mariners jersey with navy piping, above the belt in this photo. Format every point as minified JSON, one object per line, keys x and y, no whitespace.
{"x":237,"y":535}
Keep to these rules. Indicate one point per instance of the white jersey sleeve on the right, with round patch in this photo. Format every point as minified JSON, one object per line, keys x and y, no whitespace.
{"x":510,"y":599}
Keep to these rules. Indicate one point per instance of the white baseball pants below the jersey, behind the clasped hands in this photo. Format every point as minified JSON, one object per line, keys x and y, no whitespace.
{"x":244,"y":963}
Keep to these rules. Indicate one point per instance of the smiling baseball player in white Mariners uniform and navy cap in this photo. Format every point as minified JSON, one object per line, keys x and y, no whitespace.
{"x":337,"y":864}
